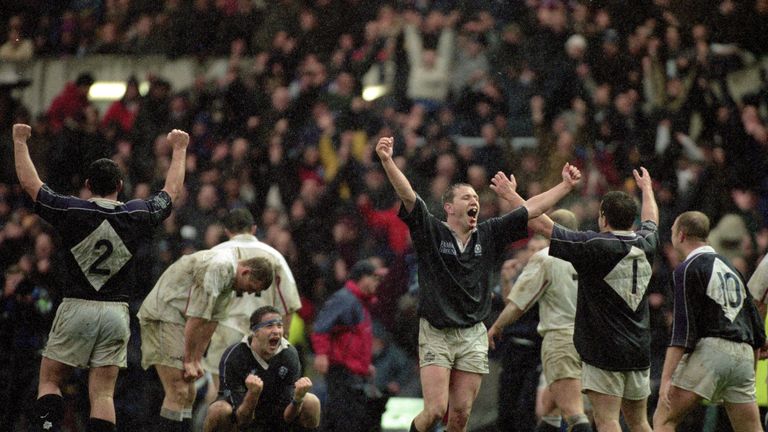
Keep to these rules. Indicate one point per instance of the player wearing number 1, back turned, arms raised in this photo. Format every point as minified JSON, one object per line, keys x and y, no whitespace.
{"x":612,"y":327}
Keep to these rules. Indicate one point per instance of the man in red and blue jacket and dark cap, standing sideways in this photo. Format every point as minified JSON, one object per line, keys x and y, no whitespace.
{"x":342,"y":340}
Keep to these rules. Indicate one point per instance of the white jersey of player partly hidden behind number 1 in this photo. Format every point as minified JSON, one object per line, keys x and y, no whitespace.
{"x":552,"y":282}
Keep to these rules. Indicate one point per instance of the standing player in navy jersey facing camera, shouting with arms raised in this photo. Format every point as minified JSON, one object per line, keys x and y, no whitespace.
{"x":455,"y":258}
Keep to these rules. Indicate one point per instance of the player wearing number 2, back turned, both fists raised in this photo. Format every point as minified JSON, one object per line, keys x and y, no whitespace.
{"x":101,"y":237}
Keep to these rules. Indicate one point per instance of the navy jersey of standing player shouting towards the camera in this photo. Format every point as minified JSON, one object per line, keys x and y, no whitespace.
{"x":454,"y":286}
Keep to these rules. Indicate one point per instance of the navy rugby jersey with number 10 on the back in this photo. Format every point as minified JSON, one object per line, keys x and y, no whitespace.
{"x":711,"y":300}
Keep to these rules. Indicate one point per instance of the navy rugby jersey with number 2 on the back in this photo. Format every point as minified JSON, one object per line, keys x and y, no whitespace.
{"x":101,"y":238}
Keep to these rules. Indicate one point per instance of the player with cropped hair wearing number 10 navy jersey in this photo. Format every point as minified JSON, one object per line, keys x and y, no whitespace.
{"x":716,"y":334}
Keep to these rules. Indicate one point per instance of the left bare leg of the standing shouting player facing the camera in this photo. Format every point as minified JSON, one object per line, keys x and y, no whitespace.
{"x":435,"y":387}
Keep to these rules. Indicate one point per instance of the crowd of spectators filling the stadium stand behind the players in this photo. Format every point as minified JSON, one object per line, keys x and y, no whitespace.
{"x":471,"y":88}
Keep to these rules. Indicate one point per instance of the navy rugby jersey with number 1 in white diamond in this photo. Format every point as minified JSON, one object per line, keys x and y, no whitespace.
{"x":612,"y":327}
